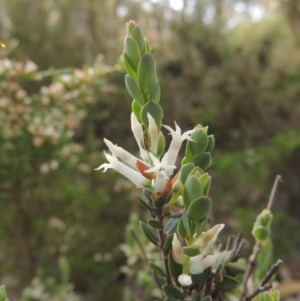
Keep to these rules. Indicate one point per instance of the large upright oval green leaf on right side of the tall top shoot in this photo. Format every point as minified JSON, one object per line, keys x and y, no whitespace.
{"x":146,"y":71}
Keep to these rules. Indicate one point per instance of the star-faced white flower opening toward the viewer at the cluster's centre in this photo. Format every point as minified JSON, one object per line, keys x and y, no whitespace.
{"x":162,"y":172}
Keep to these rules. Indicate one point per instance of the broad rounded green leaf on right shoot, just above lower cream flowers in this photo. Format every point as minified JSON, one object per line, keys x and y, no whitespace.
{"x":199,"y":208}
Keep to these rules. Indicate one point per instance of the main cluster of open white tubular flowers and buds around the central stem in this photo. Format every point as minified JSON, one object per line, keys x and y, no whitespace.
{"x":151,"y":170}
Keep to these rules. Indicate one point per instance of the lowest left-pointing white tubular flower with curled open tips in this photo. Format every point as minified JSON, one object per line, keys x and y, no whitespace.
{"x":134,"y":176}
